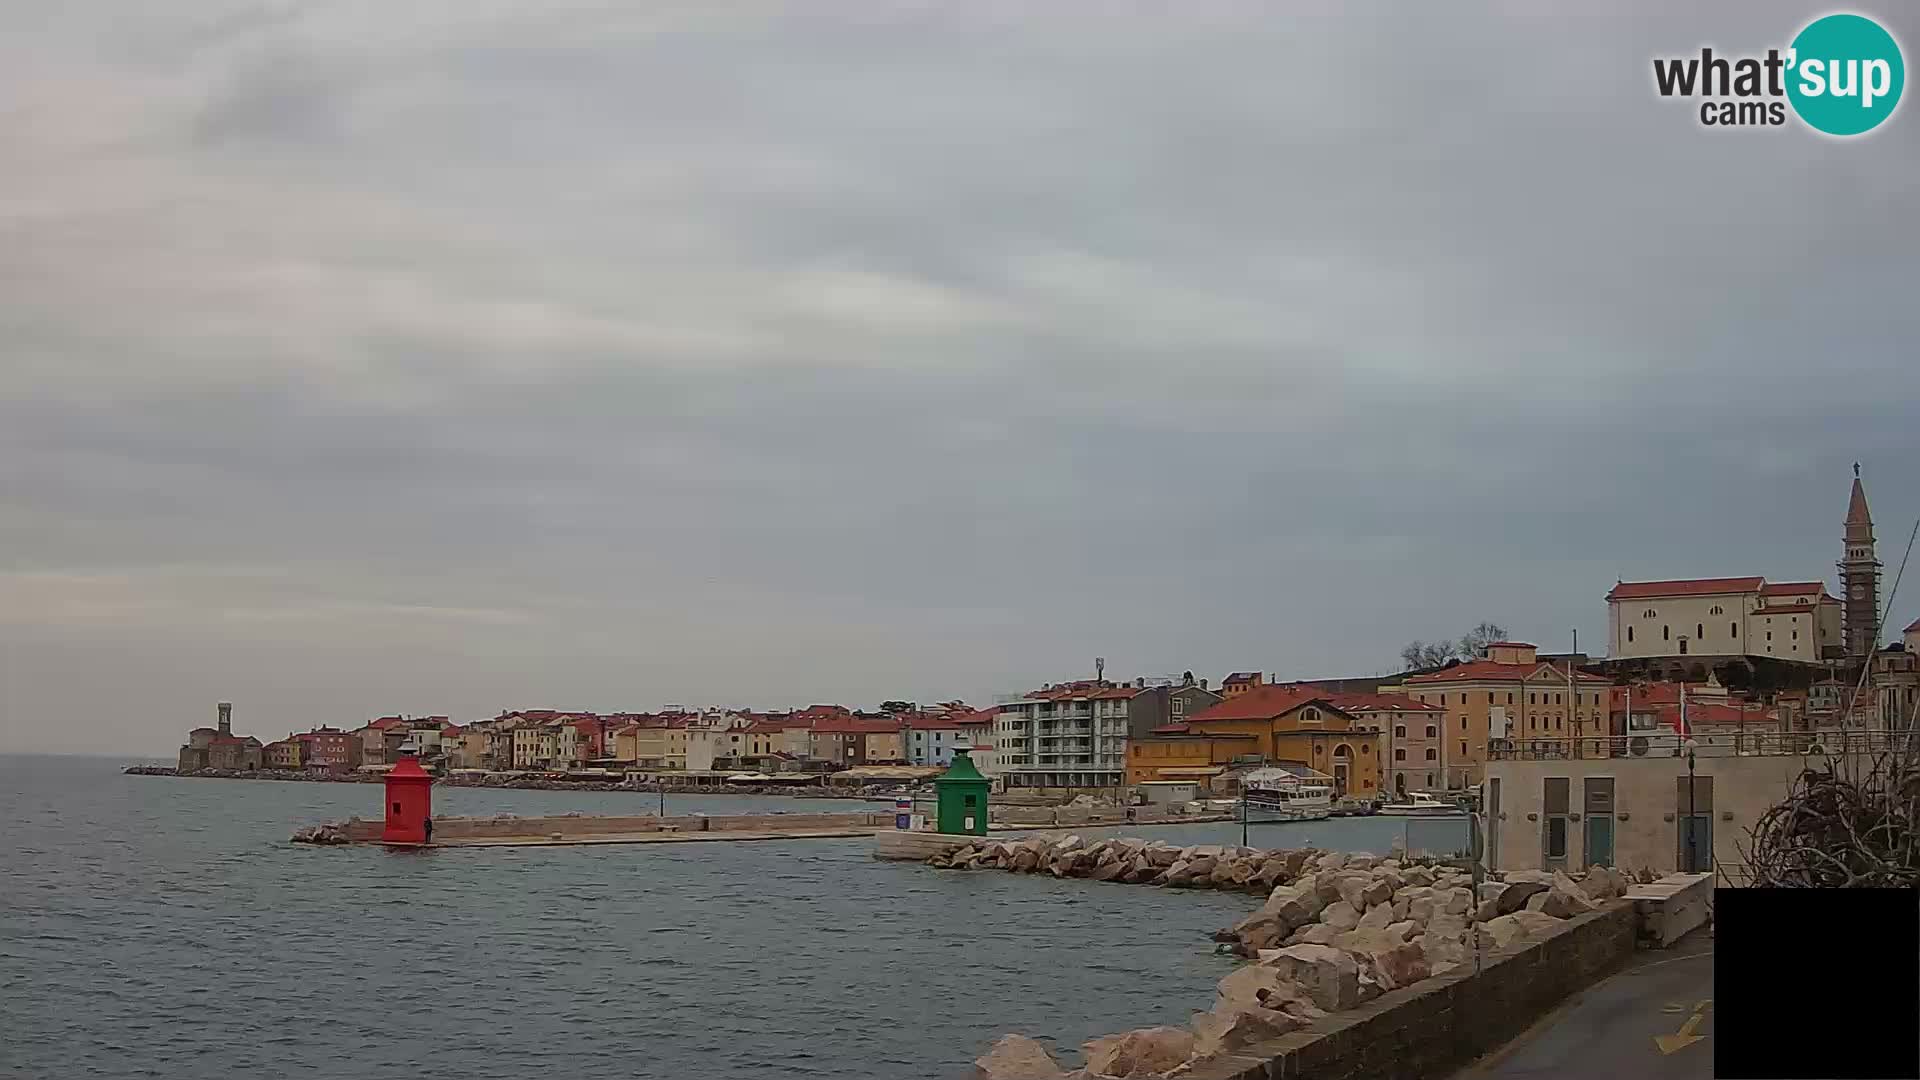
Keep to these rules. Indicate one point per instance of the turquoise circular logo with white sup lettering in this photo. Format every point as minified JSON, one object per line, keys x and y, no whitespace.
{"x":1846,"y":74}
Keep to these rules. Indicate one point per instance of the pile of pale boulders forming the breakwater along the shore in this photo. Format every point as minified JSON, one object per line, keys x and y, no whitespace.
{"x":1335,"y":933}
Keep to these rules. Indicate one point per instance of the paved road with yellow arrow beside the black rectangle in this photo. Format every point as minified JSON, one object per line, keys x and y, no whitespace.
{"x":1616,"y":1027}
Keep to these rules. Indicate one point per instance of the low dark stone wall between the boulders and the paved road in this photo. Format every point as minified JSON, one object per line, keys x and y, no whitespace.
{"x":1441,"y":1023}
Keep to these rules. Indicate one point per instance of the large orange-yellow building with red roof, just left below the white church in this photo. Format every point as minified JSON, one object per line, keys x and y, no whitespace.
{"x":1510,"y":697}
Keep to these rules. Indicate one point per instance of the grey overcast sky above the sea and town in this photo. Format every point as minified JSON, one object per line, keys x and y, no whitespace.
{"x":456,"y":356}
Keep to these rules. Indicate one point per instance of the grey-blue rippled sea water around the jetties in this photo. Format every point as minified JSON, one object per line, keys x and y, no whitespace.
{"x":162,"y":927}
